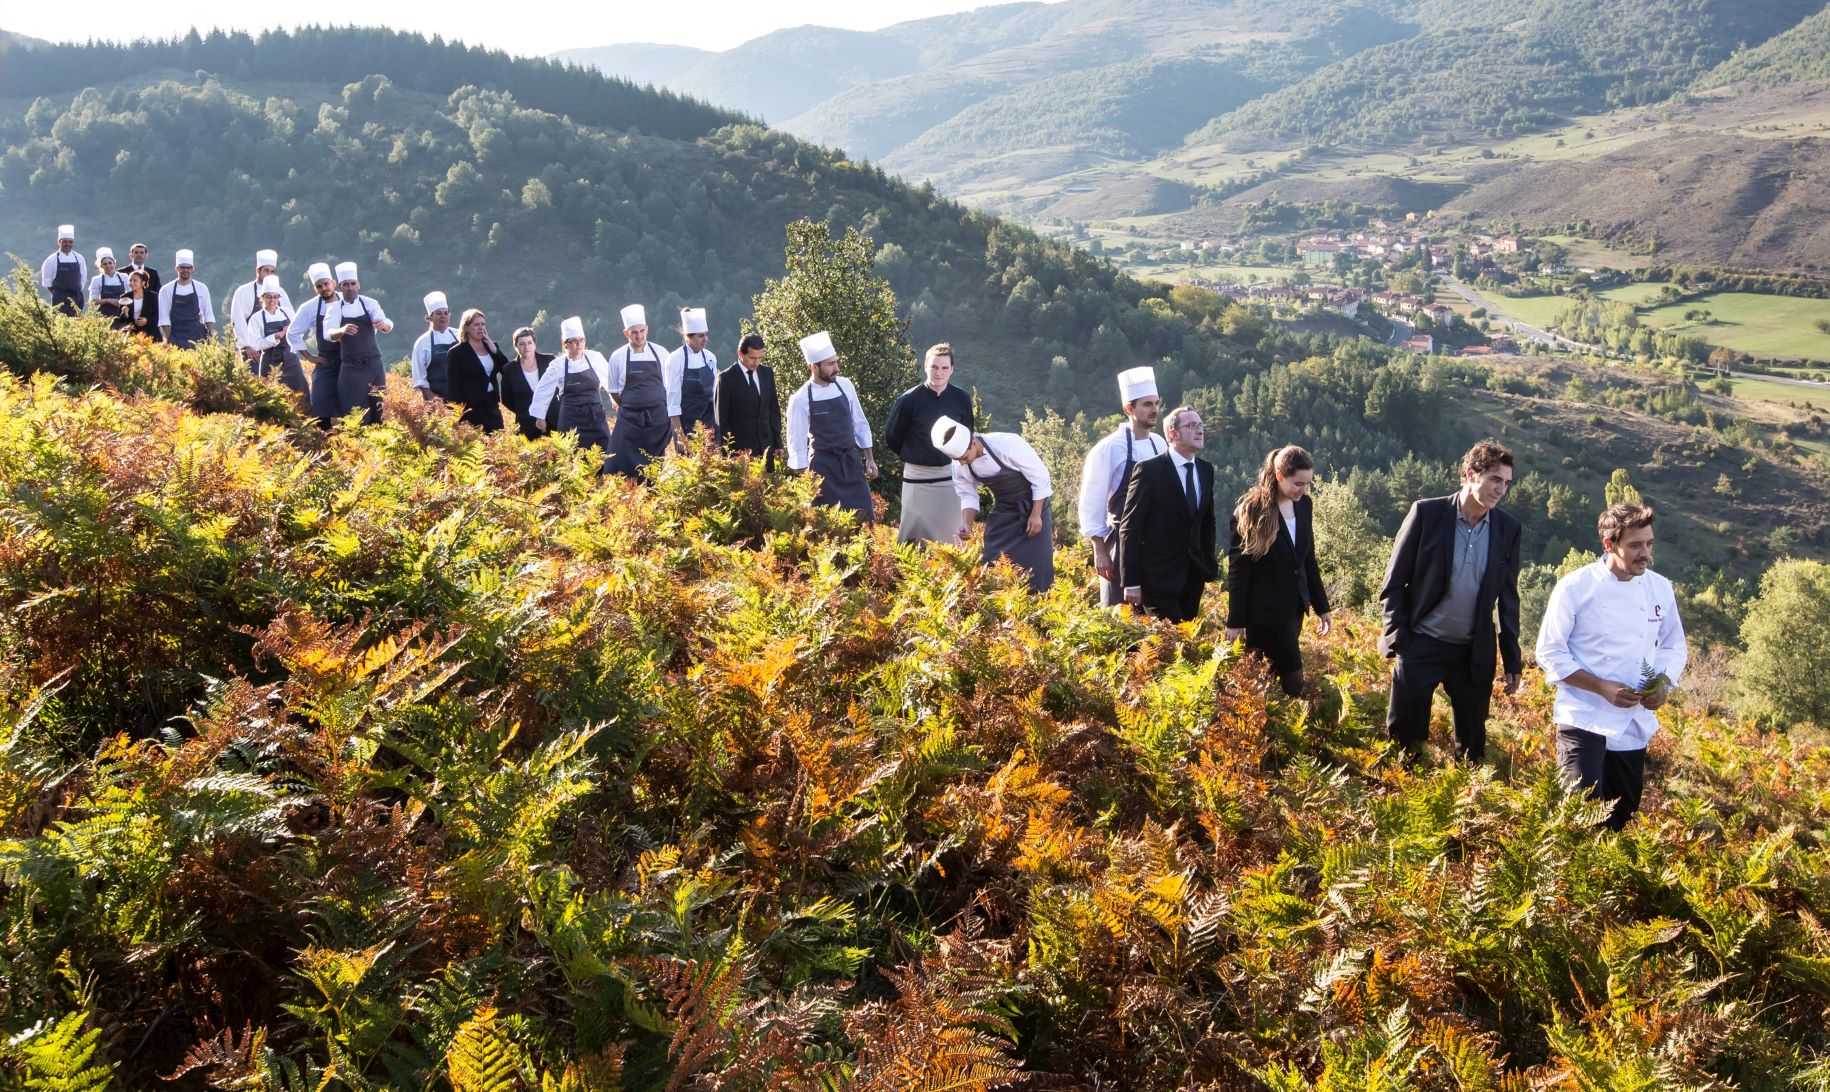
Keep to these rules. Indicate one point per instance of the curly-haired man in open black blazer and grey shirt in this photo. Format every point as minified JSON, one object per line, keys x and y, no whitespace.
{"x":1454,"y":562}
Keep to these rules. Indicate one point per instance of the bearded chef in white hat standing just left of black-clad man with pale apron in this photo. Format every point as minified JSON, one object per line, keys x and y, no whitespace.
{"x":828,"y":433}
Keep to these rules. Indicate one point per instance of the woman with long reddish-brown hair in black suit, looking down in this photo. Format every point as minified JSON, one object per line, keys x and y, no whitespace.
{"x":1273,"y":577}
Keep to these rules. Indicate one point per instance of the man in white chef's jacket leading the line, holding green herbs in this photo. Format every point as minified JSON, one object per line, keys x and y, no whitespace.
{"x":1615,"y":647}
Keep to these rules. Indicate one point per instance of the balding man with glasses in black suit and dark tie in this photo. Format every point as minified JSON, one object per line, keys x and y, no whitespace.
{"x":1168,"y":550}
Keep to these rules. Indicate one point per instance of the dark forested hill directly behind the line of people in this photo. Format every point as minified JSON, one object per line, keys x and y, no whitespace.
{"x":532,"y":211}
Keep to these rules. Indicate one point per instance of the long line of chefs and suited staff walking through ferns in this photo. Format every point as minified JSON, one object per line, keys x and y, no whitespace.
{"x":1146,"y":502}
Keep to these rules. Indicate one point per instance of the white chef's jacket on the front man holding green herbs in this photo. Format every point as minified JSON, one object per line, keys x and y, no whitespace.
{"x":1608,"y":626}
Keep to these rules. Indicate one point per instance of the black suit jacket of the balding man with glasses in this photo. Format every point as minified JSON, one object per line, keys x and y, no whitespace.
{"x":1159,"y":548}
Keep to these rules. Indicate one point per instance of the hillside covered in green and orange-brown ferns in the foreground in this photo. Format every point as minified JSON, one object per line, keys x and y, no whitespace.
{"x":411,"y":758}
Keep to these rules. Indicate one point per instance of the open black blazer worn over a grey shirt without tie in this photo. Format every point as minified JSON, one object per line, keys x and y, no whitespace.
{"x":1419,"y":577}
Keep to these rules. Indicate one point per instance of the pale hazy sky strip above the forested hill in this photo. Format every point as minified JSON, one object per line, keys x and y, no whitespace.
{"x":521,"y":27}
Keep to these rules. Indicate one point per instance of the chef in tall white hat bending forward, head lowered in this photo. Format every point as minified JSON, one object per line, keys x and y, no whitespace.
{"x":1020,"y":526}
